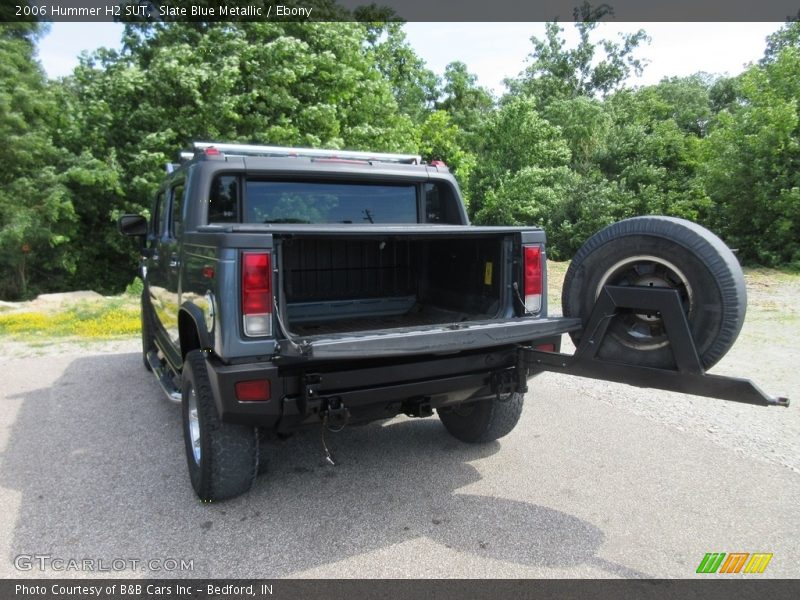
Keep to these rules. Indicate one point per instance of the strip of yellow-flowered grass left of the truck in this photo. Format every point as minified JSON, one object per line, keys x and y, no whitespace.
{"x":99,"y":320}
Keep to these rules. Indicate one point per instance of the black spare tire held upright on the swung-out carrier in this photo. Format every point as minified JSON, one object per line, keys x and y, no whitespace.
{"x":659,"y":252}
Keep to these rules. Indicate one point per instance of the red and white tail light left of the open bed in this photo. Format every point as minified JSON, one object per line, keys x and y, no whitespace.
{"x":256,"y":294}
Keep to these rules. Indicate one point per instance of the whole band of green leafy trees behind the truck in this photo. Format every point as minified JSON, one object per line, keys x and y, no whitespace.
{"x":569,"y":147}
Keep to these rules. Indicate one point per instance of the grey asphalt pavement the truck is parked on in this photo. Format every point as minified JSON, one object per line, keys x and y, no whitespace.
{"x":92,"y":466}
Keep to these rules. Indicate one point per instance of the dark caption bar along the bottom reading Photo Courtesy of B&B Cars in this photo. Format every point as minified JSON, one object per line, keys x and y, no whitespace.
{"x":714,"y":587}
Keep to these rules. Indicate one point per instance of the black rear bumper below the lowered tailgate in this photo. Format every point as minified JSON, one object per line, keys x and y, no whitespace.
{"x":370,"y":389}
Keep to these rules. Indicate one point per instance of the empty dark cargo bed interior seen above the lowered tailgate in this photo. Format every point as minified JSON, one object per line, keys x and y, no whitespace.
{"x":336,"y":283}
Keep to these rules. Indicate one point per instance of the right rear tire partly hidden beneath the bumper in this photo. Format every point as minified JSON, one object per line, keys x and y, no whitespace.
{"x":483,"y":420}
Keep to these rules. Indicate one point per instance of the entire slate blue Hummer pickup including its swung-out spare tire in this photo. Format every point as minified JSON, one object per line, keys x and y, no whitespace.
{"x":288,"y":287}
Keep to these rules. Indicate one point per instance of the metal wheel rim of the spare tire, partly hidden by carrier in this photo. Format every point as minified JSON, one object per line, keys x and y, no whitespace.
{"x":645,"y":331}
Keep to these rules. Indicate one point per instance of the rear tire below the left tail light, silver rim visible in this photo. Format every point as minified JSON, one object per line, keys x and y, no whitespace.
{"x":228,"y":461}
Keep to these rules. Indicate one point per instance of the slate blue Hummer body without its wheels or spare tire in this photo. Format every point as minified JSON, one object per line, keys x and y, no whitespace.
{"x":349,"y":294}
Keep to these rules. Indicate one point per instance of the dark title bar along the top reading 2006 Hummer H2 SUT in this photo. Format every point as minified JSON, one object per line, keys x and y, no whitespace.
{"x":408,"y":10}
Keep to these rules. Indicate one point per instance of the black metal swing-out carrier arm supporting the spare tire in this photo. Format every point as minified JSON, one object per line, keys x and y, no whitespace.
{"x":689,"y":377}
